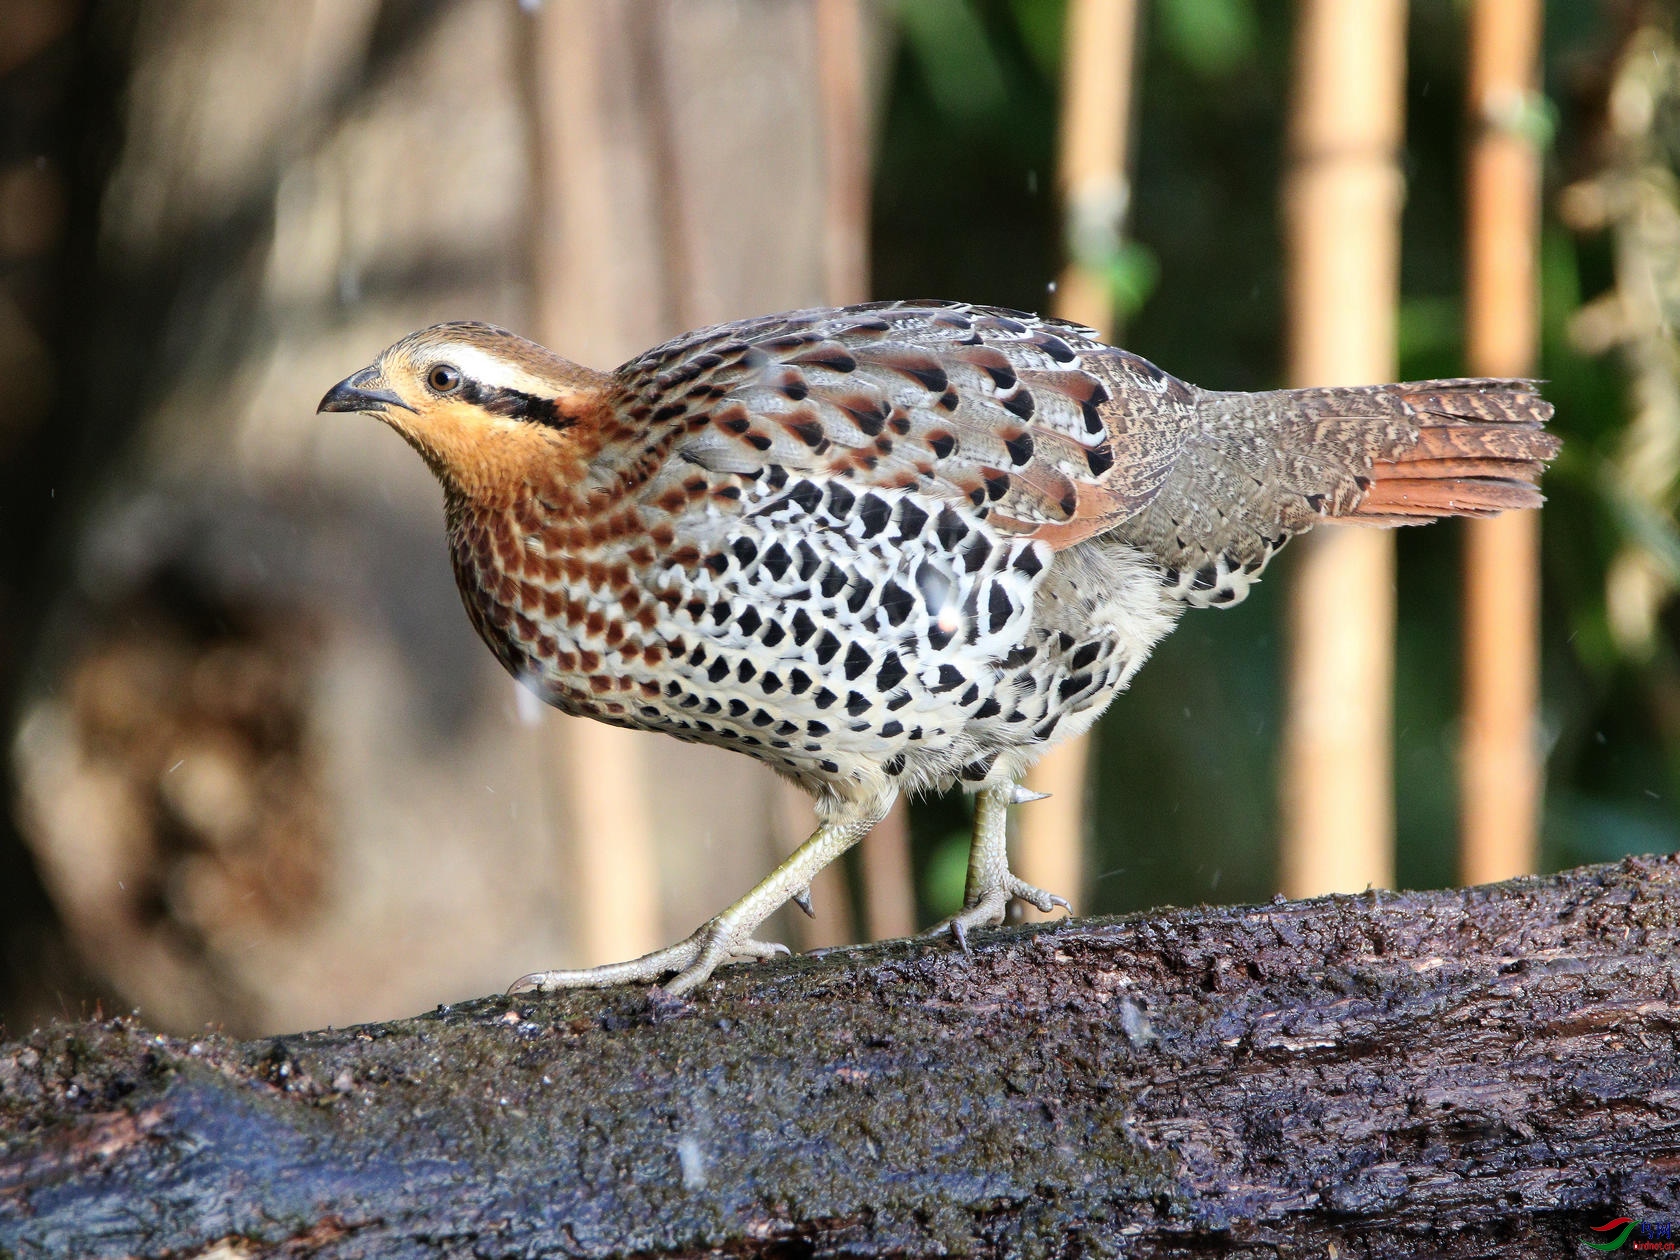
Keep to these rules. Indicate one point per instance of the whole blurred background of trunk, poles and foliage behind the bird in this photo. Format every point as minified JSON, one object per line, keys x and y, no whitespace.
{"x":260,"y":774}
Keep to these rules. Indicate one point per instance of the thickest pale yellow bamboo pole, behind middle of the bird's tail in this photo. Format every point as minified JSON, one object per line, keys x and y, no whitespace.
{"x":1341,"y":202}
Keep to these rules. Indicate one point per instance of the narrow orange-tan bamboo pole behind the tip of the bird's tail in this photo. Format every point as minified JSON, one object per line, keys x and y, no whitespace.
{"x":1501,"y":764}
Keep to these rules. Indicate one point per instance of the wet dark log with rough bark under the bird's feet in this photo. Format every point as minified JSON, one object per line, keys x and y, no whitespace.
{"x":1483,"y":1073}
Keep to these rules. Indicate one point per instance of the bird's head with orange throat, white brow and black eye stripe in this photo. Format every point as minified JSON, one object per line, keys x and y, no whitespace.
{"x":493,"y":414}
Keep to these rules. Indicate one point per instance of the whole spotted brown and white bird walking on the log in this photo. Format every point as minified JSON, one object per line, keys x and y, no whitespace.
{"x":890,"y":549}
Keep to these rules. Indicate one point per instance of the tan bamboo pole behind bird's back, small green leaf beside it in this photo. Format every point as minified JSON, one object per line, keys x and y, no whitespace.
{"x":1096,"y":192}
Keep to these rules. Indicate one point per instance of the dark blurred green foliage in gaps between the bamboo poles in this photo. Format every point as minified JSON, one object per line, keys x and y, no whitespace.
{"x":1185,"y":787}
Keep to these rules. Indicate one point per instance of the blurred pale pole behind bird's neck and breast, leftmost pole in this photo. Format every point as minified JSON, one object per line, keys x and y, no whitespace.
{"x":614,"y":874}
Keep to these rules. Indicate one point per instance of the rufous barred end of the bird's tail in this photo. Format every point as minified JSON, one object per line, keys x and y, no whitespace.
{"x":1479,"y":449}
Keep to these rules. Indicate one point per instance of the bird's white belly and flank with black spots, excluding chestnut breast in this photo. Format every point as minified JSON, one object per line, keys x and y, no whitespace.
{"x":844,"y":636}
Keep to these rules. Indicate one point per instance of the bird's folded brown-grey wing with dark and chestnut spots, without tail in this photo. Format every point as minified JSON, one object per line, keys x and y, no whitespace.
{"x":1005,"y":411}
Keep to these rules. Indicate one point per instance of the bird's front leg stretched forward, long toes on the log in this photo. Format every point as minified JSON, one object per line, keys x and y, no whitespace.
{"x":730,"y":937}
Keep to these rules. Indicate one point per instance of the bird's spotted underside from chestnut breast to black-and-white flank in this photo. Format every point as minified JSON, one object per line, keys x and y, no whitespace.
{"x":831,"y":631}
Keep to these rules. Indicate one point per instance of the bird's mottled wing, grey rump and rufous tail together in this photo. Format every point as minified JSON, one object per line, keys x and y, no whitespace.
{"x":1053,"y":434}
